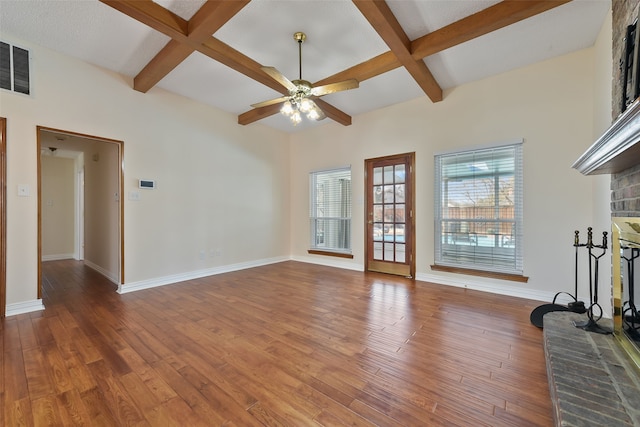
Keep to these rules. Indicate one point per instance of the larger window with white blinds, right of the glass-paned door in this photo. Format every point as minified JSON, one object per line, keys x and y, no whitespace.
{"x":478,"y":209}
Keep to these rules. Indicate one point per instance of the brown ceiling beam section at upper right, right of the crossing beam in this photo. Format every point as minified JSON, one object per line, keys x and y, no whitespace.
{"x":490,"y":19}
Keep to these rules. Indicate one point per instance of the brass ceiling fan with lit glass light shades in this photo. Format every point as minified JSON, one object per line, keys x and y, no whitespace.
{"x":301,"y":92}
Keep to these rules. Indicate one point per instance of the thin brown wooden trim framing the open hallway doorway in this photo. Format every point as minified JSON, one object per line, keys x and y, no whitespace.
{"x":120,"y":146}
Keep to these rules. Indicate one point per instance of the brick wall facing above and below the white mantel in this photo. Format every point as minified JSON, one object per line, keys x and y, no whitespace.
{"x":625,"y":186}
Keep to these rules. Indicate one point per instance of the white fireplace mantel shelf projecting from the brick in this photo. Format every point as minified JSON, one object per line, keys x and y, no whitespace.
{"x":617,"y":149}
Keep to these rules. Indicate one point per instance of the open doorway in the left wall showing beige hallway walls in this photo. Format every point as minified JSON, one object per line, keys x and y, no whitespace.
{"x":80,"y":208}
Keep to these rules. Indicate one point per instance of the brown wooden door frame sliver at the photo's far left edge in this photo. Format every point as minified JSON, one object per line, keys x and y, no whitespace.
{"x":3,"y":217}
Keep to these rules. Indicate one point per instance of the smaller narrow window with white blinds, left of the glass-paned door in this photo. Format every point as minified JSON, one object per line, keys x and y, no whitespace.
{"x":330,"y":214}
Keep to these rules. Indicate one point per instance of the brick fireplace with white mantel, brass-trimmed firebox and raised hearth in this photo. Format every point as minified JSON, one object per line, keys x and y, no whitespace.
{"x":594,"y":379}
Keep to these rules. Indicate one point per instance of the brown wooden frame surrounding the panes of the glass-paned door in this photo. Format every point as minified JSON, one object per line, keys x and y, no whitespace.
{"x":410,"y":238}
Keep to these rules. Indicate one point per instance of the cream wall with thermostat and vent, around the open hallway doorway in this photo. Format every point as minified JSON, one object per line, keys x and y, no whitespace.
{"x":222,"y":188}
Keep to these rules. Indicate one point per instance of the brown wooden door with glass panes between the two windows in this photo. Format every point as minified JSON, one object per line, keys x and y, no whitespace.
{"x":389,"y":193}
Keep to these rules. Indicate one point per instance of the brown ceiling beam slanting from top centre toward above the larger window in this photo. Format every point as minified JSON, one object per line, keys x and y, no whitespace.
{"x":382,"y":19}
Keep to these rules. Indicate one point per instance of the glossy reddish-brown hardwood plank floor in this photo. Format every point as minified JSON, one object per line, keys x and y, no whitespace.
{"x":286,"y":344}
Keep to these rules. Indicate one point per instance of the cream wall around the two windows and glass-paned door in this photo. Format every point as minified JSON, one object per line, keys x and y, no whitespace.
{"x":549,"y":104}
